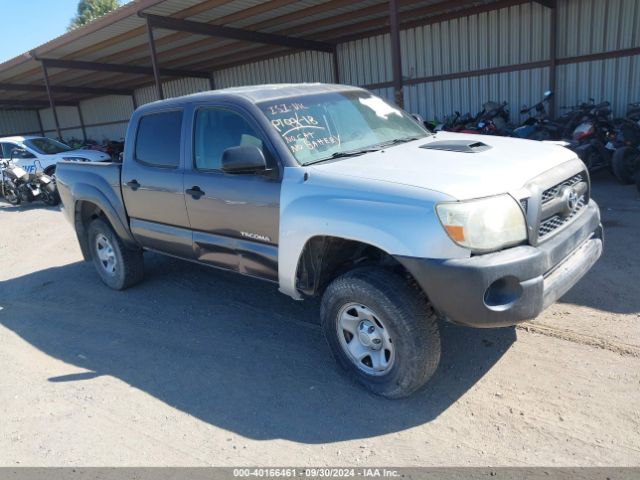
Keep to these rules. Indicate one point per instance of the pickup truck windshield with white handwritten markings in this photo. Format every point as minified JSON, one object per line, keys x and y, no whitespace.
{"x":330,"y":125}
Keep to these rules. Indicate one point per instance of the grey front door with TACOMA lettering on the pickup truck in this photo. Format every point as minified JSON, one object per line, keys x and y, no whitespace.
{"x":235,"y":218}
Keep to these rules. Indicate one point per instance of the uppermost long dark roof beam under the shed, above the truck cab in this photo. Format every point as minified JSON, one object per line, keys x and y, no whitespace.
{"x":200,"y":28}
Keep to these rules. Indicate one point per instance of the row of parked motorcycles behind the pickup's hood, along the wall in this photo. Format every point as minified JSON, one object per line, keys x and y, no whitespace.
{"x":588,"y":129}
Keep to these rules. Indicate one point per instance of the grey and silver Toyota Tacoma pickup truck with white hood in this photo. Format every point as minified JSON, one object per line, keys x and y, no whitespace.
{"x":330,"y":191}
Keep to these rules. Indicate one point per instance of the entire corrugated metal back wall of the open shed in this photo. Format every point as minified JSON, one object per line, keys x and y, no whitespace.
{"x":500,"y":38}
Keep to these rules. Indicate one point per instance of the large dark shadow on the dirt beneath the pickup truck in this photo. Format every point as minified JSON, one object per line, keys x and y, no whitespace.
{"x":228,"y":350}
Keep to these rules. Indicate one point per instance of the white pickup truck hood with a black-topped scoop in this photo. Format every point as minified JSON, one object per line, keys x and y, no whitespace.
{"x":502,"y":165}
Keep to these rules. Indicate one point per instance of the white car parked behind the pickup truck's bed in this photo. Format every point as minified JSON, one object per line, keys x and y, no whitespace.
{"x":42,"y":153}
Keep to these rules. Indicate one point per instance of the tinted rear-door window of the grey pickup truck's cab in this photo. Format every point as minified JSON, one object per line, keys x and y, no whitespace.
{"x":158,"y":139}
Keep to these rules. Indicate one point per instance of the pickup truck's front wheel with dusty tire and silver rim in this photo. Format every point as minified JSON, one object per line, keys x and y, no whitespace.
{"x":408,"y":351}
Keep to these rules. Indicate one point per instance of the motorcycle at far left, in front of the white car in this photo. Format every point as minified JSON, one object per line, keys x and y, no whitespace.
{"x":19,"y":186}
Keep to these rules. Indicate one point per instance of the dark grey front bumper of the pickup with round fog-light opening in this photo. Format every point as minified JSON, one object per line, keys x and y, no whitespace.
{"x":513,"y":285}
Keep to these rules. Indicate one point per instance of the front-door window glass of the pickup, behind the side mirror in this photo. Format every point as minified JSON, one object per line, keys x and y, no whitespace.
{"x":217,"y":129}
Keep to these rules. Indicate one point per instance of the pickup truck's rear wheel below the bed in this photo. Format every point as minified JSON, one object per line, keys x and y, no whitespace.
{"x":119,"y":267}
